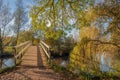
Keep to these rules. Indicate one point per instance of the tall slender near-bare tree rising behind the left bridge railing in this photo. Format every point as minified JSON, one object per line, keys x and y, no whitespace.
{"x":20,"y":19}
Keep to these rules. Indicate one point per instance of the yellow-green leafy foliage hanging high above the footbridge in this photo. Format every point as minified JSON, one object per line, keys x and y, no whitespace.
{"x":51,"y":18}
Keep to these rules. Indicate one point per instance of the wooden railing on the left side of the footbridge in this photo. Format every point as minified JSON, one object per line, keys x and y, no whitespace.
{"x":19,"y":50}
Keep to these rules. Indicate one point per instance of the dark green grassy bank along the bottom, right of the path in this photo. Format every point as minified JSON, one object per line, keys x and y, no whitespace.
{"x":68,"y":74}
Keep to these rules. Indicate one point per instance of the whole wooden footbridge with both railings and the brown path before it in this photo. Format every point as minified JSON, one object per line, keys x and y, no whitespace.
{"x":32,"y":63}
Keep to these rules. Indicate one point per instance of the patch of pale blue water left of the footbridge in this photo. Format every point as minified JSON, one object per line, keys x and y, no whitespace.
{"x":8,"y":62}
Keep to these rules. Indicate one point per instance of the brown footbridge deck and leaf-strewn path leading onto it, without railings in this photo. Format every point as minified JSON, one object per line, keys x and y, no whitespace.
{"x":33,"y":67}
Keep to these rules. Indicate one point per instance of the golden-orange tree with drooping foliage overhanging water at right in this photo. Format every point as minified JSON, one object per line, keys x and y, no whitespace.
{"x":103,"y":38}
